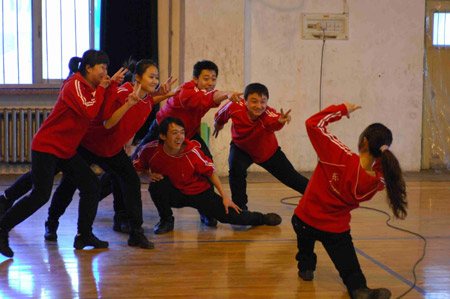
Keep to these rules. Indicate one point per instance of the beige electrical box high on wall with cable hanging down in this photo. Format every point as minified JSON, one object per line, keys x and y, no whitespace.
{"x":324,"y":26}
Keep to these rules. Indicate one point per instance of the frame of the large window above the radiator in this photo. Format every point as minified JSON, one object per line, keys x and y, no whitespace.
{"x":36,"y":43}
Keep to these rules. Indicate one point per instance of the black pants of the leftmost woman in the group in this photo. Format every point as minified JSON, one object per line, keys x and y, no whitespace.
{"x":43,"y":169}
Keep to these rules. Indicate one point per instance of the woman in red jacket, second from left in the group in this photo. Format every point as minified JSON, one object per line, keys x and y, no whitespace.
{"x":128,"y":107}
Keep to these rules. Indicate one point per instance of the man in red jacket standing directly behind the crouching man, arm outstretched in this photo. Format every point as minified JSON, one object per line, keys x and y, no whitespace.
{"x":196,"y":98}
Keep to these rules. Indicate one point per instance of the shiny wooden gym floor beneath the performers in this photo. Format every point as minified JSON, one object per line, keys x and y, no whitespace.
{"x":230,"y":261}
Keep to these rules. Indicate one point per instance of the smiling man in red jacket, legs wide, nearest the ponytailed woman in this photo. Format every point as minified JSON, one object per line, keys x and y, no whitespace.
{"x":254,"y":141}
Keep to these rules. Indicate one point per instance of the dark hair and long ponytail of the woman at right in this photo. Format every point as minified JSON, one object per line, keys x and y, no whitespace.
{"x":379,"y":137}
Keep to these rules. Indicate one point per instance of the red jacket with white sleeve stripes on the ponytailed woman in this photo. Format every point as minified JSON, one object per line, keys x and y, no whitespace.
{"x":338,"y":183}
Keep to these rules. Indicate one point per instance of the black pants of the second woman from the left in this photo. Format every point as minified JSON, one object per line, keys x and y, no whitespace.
{"x":119,"y":165}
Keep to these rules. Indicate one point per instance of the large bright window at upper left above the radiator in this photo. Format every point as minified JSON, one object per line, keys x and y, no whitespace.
{"x":38,"y":38}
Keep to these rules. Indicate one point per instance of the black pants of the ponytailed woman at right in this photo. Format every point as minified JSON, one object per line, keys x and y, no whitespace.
{"x":339,"y":247}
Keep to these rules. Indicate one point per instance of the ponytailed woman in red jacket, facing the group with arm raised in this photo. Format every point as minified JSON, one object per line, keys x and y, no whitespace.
{"x":341,"y":180}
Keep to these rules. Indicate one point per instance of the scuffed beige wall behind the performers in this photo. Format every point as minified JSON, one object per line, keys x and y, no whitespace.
{"x":379,"y":67}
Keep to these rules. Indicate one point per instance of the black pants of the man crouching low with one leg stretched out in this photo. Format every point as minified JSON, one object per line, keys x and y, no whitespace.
{"x":166,"y":196}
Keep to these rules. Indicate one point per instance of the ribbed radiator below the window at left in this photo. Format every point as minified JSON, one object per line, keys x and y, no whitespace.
{"x":17,"y":127}
